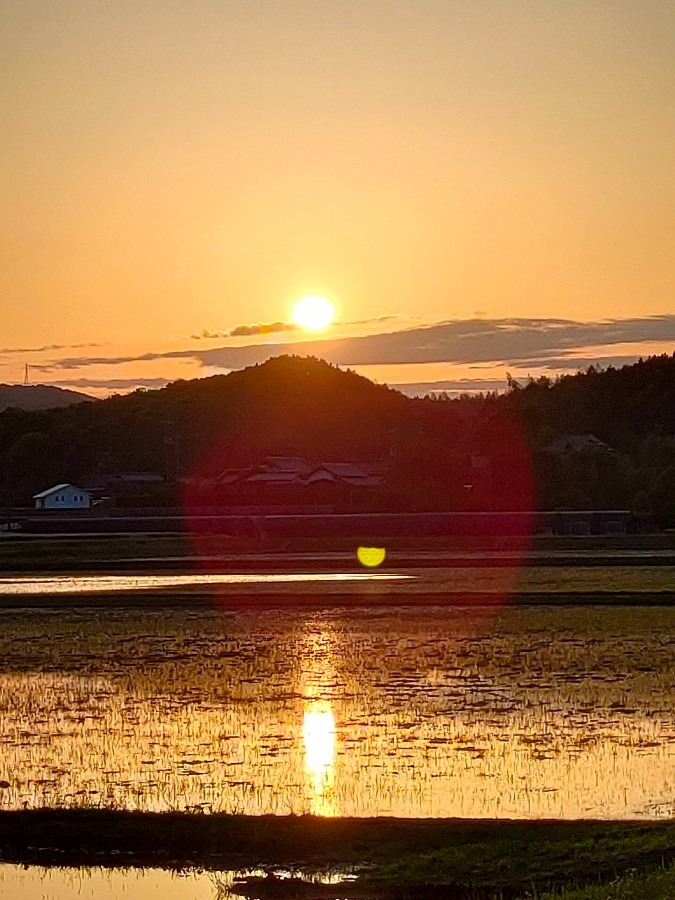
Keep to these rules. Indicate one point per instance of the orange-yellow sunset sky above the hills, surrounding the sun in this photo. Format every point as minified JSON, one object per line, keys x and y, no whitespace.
{"x":452,"y":174}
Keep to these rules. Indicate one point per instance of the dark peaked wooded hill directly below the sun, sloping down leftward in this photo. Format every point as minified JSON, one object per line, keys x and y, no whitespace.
{"x":288,"y":405}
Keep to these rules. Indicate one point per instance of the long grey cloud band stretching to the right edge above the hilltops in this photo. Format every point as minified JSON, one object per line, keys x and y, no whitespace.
{"x":518,"y":342}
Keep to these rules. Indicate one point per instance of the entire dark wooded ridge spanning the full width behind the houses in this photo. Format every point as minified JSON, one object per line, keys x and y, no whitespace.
{"x":306,"y":407}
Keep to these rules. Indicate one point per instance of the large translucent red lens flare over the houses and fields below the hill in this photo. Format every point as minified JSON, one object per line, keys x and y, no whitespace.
{"x":261,"y":514}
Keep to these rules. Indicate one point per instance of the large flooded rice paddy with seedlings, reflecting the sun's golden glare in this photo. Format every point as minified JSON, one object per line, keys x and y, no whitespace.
{"x":429,"y":711}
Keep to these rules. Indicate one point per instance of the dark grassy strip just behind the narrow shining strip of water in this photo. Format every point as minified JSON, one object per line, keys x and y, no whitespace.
{"x":162,"y":552}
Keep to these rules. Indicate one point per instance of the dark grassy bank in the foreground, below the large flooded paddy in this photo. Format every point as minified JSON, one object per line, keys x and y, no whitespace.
{"x":402,"y":858}
